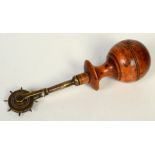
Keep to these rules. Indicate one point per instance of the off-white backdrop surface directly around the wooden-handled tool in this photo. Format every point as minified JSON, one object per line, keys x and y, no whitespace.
{"x":35,"y":61}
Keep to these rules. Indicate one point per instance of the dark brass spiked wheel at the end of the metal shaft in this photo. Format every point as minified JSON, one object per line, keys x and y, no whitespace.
{"x":20,"y":107}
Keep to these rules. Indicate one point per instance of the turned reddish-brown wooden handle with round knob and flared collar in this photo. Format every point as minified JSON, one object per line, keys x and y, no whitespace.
{"x":127,"y":61}
